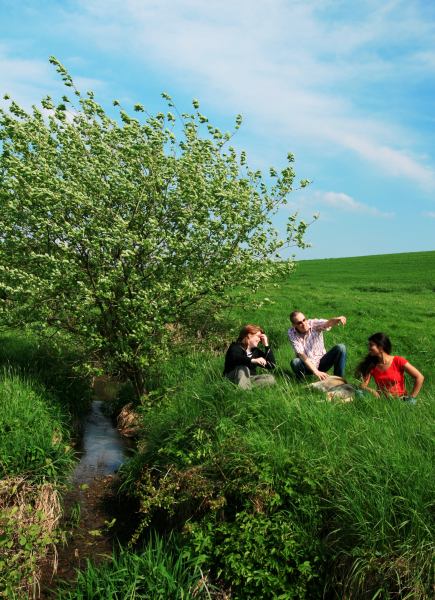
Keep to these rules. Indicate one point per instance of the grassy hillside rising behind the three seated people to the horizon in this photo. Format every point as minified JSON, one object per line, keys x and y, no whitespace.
{"x":393,"y":293}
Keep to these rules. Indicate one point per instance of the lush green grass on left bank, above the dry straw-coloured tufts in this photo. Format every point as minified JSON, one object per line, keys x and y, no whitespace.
{"x":40,"y":398}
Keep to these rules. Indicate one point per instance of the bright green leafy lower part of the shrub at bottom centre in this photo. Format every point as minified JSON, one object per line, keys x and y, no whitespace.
{"x":259,"y":555}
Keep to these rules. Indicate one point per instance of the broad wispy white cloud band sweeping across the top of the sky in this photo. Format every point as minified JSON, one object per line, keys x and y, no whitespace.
{"x":300,"y":69}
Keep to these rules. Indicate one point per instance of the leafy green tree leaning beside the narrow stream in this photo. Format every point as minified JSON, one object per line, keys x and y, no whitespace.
{"x":113,"y":228}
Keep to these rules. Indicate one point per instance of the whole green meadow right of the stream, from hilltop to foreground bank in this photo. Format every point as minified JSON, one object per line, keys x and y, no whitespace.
{"x":276,"y":492}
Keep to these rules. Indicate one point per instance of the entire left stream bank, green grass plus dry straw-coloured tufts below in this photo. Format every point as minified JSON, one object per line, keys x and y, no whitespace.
{"x":41,"y":400}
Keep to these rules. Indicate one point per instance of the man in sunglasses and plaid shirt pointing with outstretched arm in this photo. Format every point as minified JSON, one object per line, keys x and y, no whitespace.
{"x":306,"y":337}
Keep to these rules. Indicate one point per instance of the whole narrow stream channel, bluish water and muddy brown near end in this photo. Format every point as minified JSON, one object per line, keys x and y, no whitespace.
{"x":94,"y":514}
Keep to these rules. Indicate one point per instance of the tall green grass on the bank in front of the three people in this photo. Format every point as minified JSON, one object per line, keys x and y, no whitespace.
{"x":357,"y":478}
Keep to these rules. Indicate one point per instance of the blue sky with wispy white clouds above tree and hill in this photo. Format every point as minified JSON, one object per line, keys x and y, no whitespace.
{"x":348,"y":88}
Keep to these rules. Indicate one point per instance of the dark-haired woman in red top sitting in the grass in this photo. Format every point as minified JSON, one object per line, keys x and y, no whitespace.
{"x":388,"y":371}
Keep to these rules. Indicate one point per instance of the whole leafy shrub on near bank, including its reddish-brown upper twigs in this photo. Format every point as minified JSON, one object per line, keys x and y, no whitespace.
{"x":257,"y":538}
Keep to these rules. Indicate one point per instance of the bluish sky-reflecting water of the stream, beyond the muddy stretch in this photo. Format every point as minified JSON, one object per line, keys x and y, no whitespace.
{"x":103,"y":449}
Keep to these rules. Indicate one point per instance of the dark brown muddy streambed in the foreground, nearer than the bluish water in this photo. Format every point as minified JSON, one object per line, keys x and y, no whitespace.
{"x":94,"y":517}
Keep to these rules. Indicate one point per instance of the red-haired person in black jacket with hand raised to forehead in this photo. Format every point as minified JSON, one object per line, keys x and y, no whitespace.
{"x":244,"y":356}
